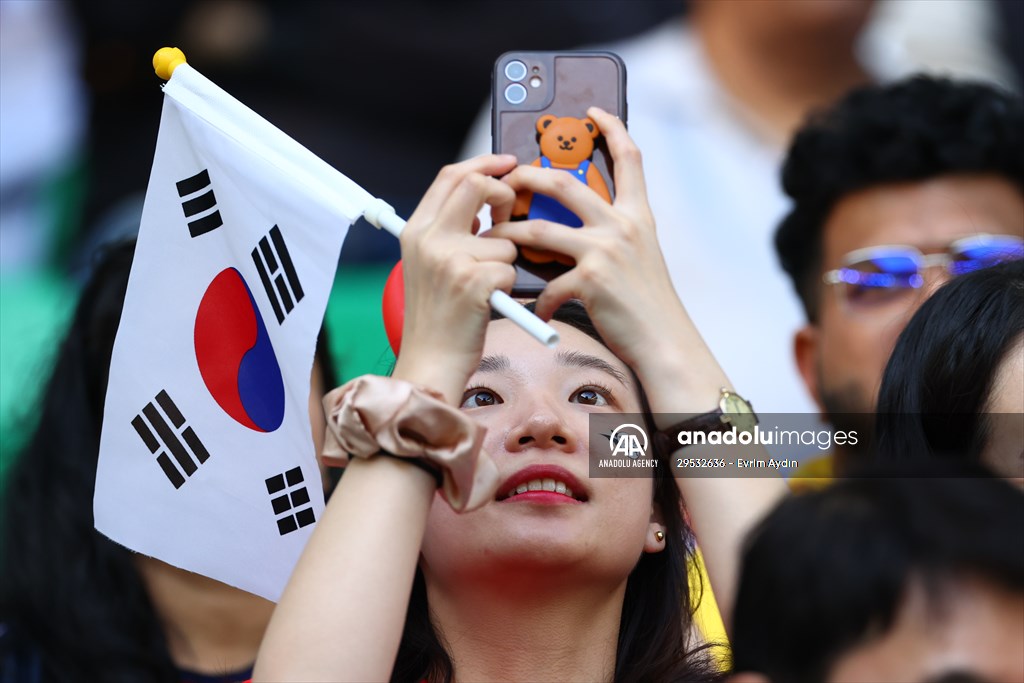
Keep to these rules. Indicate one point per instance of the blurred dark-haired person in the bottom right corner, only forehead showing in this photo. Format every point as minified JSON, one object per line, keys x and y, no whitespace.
{"x":912,"y":574}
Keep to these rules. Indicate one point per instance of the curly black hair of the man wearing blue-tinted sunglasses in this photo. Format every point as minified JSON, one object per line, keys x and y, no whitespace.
{"x":912,"y":131}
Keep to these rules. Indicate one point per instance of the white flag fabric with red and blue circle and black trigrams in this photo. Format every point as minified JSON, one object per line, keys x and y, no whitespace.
{"x":206,"y":456}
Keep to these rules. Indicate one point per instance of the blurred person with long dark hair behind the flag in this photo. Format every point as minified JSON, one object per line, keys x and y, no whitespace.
{"x":75,"y":606}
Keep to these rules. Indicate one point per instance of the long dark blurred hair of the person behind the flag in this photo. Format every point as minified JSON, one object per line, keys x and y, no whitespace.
{"x":72,"y":601}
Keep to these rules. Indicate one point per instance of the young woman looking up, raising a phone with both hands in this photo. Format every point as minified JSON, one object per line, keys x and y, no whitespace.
{"x":554,"y":576}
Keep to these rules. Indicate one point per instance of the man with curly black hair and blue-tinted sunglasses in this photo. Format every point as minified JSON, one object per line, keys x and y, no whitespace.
{"x":895,"y":190}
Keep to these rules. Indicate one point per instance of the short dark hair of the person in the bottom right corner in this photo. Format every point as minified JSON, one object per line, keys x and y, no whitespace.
{"x":830,"y":570}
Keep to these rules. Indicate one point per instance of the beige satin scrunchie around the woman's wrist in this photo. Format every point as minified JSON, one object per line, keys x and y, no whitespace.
{"x":372,"y":414}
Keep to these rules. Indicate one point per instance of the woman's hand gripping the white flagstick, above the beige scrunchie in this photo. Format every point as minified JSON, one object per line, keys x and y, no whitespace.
{"x":450,"y":274}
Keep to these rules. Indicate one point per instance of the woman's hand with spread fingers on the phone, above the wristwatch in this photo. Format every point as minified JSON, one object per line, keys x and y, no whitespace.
{"x":621,"y":275}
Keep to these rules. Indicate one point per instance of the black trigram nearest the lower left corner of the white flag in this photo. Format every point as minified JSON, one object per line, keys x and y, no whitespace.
{"x":159,"y":436}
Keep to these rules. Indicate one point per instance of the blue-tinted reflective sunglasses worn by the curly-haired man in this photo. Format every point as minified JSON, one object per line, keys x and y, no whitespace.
{"x":880,"y":275}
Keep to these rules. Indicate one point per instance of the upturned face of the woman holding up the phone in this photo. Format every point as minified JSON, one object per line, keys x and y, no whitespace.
{"x":535,"y":403}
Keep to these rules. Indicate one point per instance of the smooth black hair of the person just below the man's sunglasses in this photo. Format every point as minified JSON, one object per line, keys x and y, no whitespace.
{"x":936,"y":388}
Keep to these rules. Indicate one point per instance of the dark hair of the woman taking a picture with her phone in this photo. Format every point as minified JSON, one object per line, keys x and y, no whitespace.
{"x":655,"y":633}
